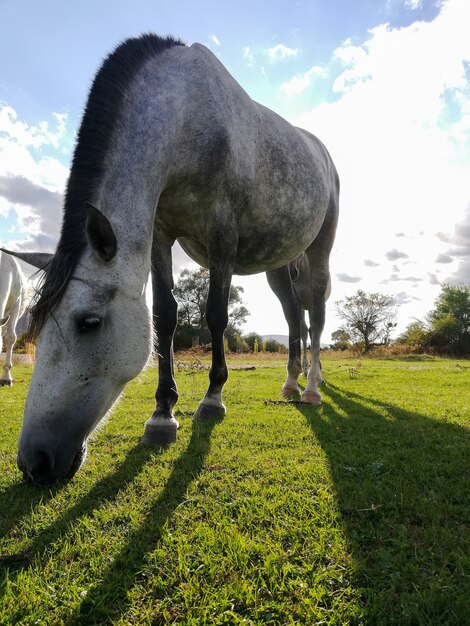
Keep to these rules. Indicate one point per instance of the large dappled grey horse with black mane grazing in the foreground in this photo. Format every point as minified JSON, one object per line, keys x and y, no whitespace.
{"x":170,"y":147}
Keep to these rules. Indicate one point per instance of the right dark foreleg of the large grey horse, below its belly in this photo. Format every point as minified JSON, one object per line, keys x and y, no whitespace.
{"x":217,"y":318}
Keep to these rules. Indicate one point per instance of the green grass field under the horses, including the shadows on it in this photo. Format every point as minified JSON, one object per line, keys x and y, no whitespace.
{"x":357,"y":512}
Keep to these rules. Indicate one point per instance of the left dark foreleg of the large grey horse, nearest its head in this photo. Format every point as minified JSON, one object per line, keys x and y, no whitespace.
{"x":162,"y":426}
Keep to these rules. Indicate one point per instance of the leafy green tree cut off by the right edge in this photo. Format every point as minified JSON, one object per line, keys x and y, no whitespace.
{"x":449,"y":321}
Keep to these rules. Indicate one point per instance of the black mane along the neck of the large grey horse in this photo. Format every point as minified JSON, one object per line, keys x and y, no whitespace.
{"x":94,"y":137}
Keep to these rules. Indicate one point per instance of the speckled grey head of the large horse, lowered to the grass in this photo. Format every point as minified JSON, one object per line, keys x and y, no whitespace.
{"x":91,"y":344}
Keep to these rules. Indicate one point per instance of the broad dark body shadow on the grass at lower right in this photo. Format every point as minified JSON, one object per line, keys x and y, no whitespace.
{"x":402,"y":484}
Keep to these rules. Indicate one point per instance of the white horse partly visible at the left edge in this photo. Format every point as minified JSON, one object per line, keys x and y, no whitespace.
{"x":12,"y":307}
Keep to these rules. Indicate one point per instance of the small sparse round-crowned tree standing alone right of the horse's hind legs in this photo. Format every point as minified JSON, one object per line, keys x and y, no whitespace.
{"x":369,"y":318}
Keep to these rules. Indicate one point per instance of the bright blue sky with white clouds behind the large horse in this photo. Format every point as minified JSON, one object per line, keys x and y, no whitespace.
{"x":384,"y":83}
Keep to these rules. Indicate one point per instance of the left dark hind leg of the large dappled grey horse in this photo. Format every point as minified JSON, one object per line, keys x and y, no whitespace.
{"x":280,"y":282}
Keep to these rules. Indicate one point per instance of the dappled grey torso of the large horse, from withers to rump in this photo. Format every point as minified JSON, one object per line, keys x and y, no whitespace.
{"x":272,"y":180}
